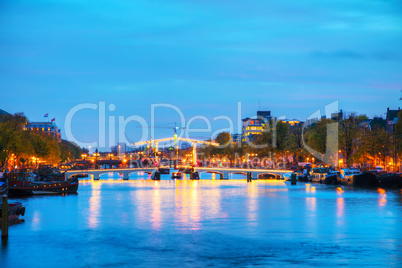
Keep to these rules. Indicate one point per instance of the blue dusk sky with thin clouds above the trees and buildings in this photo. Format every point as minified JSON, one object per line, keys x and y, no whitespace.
{"x":292,"y":57}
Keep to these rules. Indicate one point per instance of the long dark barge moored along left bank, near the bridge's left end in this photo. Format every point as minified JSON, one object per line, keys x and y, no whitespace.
{"x":22,"y":183}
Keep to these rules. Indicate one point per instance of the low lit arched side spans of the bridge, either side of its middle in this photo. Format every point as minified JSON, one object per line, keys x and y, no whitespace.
{"x":224,"y":173}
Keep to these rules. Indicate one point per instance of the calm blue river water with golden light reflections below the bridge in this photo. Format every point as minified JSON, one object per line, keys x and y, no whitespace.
{"x":229,"y":223}
